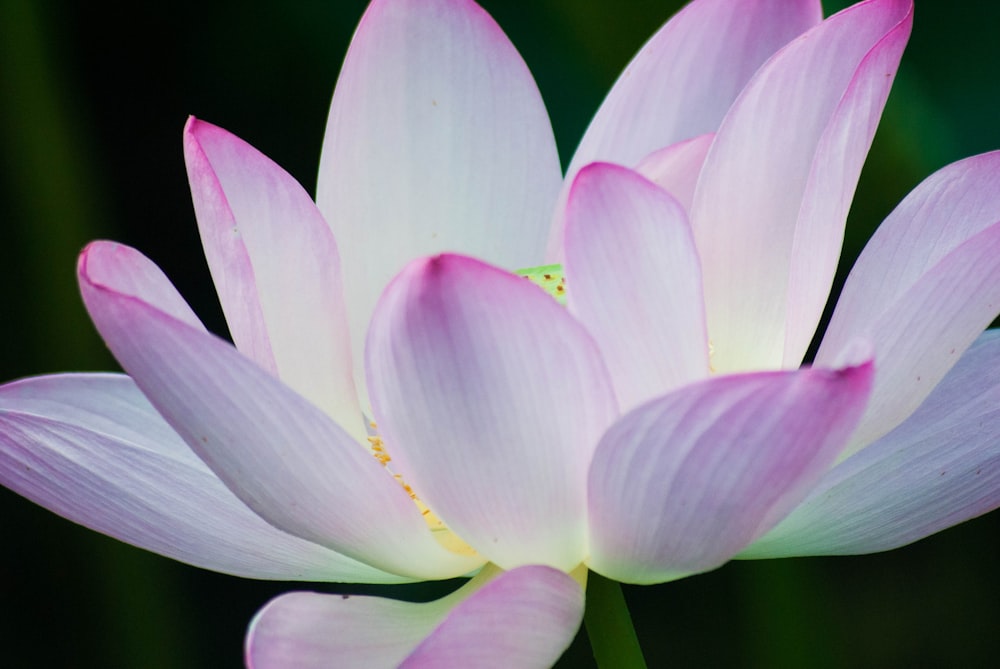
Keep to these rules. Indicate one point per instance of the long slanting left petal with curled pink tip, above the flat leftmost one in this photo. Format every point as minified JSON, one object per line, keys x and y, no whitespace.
{"x":281,"y":455}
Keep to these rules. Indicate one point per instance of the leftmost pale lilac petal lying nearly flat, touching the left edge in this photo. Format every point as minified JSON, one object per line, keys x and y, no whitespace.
{"x":91,"y":448}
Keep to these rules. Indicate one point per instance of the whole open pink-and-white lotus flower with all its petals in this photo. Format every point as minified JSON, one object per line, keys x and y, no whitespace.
{"x":399,"y":406}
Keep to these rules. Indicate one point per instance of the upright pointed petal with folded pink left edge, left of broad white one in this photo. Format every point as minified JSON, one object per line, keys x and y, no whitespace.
{"x":276,"y":269}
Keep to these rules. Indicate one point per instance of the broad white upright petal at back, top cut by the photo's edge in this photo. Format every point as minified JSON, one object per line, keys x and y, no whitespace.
{"x":437,"y":141}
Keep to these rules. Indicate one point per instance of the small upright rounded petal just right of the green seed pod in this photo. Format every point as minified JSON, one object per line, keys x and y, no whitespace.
{"x":634,"y":281}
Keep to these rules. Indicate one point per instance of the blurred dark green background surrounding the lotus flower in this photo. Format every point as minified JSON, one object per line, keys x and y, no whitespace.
{"x":93,"y":99}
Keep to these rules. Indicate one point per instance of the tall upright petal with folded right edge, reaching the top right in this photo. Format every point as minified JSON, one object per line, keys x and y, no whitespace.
{"x":772,"y":199}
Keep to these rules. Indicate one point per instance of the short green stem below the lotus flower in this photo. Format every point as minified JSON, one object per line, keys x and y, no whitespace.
{"x":609,"y":626}
